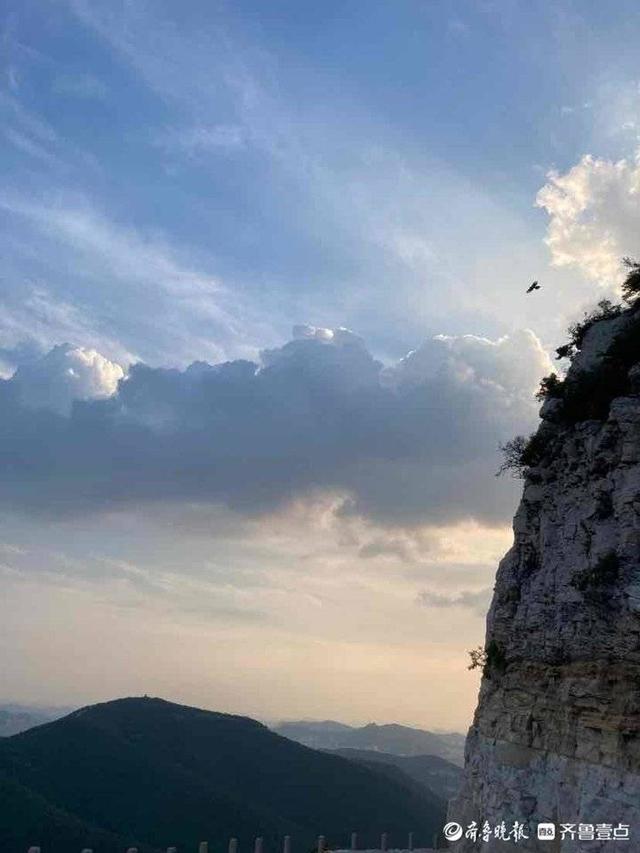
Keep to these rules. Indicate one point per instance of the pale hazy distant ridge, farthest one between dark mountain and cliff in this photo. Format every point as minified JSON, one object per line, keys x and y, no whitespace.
{"x":391,"y":738}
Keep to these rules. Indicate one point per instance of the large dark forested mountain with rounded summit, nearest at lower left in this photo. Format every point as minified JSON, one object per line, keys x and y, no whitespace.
{"x":151,"y":773}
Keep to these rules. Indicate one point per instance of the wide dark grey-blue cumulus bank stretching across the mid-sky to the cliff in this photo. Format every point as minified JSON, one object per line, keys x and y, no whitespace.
{"x":400,"y":445}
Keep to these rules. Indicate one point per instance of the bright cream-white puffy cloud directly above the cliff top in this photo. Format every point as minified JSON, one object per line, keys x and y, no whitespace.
{"x":594,"y":211}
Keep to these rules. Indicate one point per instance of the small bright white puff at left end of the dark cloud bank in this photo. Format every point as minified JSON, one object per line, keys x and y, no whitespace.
{"x":66,"y":374}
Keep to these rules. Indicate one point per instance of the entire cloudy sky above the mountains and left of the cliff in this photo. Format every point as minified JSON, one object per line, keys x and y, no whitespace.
{"x":263,"y":328}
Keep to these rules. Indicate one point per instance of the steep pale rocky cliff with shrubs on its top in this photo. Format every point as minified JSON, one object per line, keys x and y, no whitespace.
{"x":556,"y":735}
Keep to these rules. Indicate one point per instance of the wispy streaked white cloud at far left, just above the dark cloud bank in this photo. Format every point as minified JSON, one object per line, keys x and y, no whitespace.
{"x":125,"y":269}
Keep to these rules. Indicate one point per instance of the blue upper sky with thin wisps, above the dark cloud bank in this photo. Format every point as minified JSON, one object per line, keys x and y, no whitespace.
{"x":298,"y":159}
